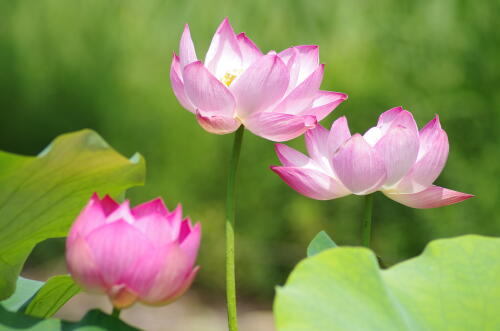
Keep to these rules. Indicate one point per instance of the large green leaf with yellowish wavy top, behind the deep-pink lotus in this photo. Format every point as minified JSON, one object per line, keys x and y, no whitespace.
{"x":40,"y":196}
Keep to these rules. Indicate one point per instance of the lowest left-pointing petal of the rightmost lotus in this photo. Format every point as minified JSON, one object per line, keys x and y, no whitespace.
{"x":312,"y":183}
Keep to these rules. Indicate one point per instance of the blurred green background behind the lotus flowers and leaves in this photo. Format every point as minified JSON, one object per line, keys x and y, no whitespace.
{"x":103,"y":64}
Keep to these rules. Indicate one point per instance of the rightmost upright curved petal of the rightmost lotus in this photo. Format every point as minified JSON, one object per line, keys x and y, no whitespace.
{"x":432,"y":156}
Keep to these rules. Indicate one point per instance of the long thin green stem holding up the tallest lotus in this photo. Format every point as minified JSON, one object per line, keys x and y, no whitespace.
{"x":230,"y":218}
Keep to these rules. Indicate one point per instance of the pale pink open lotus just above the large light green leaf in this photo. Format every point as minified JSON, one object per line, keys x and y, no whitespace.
{"x":392,"y":157}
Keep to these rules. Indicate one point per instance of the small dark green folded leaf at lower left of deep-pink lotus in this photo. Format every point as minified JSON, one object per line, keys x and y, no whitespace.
{"x":52,"y":296}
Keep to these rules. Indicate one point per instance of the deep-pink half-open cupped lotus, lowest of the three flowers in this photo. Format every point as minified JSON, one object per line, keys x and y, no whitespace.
{"x":141,"y":254}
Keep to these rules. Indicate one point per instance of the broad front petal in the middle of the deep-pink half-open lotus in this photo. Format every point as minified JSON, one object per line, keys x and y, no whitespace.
{"x":109,"y":257}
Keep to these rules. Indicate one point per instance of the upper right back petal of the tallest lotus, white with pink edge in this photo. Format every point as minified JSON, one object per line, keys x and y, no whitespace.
{"x":303,"y":61}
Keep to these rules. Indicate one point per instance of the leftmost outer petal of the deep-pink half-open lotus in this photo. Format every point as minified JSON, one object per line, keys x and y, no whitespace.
{"x":82,"y":266}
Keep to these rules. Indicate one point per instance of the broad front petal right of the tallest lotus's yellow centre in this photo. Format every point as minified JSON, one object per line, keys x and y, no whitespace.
{"x":261,"y":85}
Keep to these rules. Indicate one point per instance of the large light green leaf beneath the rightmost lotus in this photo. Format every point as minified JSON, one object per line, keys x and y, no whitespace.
{"x":453,"y":285}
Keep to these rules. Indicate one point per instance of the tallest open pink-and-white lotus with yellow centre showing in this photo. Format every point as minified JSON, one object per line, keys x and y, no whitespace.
{"x":276,"y":96}
